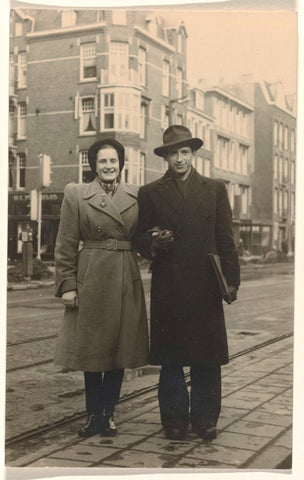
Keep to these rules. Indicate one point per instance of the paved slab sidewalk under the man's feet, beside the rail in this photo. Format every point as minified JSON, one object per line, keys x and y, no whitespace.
{"x":254,"y":429}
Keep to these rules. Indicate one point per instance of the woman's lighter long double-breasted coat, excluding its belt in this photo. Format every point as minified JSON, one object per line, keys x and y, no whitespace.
{"x":109,"y":329}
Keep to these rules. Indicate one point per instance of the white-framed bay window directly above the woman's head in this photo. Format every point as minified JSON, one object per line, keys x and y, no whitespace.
{"x":120,"y":110}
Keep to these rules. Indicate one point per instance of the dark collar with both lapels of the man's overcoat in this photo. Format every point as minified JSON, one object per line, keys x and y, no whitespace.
{"x":169,"y":192}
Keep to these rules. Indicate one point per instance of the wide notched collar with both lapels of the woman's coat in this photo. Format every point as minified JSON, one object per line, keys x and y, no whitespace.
{"x":124,"y":197}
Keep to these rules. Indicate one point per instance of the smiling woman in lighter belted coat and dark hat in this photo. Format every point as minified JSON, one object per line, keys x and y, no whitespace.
{"x":105,"y":326}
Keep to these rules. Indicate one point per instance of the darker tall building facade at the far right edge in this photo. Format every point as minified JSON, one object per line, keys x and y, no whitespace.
{"x":273,"y":183}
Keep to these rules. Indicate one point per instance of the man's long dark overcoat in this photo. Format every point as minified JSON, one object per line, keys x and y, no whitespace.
{"x":187,"y":318}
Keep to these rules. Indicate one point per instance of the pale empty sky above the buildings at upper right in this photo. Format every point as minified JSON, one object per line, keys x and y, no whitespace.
{"x":228,"y":44}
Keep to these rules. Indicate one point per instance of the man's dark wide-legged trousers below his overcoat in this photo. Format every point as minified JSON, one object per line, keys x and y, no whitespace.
{"x":205,"y":397}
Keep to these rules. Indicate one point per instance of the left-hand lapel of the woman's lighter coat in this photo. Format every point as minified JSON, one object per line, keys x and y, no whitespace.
{"x":98,"y":199}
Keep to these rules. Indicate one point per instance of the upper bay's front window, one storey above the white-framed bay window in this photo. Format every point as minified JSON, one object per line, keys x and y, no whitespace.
{"x":119,"y":62}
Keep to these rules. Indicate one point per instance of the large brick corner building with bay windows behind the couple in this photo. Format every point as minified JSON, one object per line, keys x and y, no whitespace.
{"x":80,"y":75}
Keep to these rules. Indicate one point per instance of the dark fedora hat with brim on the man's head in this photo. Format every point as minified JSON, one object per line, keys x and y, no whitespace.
{"x":175,"y":136}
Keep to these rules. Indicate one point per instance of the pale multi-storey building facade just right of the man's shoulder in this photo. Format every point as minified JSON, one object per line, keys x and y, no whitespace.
{"x":233,"y":152}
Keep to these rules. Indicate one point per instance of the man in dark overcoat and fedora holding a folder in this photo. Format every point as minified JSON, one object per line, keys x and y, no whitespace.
{"x":182,"y":217}
